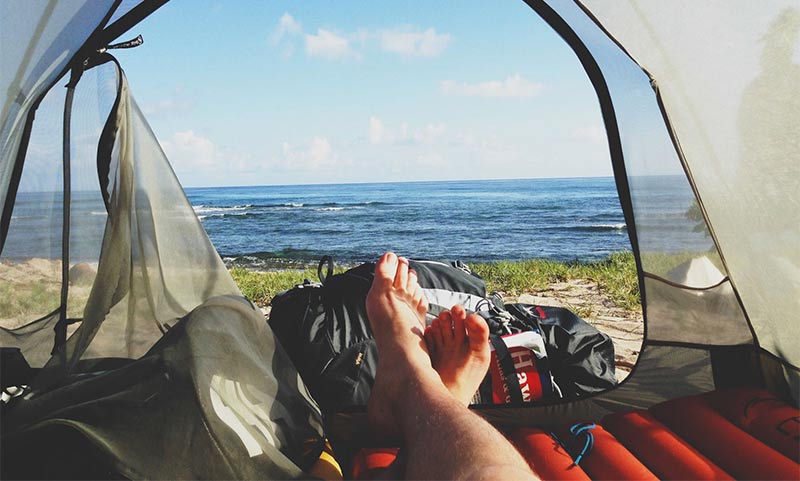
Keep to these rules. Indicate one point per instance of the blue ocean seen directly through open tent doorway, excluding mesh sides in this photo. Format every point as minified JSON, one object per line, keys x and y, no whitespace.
{"x":487,"y":220}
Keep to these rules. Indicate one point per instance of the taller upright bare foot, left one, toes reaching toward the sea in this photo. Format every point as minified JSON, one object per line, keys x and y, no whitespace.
{"x":396,"y":309}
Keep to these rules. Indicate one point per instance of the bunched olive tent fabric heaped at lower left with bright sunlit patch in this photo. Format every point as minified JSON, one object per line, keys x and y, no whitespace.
{"x":204,"y":403}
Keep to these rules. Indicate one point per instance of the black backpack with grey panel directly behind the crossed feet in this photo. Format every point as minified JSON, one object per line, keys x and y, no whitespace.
{"x":324,"y":326}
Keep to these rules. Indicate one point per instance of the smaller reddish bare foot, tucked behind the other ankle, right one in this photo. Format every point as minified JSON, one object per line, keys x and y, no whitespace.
{"x":459,"y":348}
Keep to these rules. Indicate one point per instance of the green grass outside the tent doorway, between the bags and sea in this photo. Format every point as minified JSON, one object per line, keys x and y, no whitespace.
{"x":615,"y":276}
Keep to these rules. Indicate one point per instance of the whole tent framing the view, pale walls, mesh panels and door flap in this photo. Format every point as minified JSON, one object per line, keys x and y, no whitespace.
{"x":145,"y":357}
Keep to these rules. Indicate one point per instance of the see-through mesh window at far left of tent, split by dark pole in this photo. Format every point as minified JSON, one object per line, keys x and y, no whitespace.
{"x":33,"y":248}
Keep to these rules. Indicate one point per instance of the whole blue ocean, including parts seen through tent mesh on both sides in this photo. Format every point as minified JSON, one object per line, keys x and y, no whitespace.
{"x":474,"y":221}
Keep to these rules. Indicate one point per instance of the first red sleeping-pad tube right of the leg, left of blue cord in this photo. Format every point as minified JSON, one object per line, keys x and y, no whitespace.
{"x":545,"y":456}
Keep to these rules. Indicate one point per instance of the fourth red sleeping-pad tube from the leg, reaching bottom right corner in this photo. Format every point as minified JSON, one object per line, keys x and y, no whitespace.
{"x":727,"y":445}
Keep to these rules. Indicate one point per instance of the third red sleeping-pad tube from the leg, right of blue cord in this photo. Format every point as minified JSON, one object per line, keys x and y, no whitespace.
{"x":661,"y":450}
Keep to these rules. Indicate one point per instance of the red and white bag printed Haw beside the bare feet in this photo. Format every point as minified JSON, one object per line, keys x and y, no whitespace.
{"x":518,"y":371}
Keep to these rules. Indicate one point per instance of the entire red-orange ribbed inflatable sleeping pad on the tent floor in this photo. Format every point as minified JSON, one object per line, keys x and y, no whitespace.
{"x":725,"y":434}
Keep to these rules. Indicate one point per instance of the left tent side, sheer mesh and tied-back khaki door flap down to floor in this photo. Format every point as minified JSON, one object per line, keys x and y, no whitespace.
{"x":164,"y":358}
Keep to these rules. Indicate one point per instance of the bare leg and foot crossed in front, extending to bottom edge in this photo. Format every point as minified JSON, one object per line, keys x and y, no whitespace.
{"x":442,"y":438}
